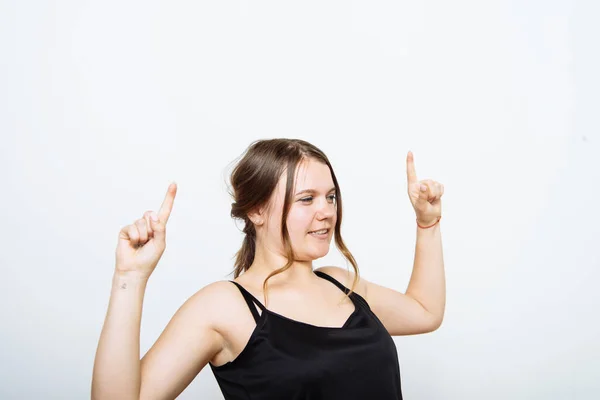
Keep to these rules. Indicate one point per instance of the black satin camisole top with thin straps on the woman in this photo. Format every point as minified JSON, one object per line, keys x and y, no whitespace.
{"x":286,"y":359}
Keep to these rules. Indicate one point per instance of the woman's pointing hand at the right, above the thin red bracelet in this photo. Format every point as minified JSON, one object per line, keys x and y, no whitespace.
{"x":424,"y":195}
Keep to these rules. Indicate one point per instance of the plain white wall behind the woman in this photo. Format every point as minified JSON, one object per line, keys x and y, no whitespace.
{"x":103,"y":103}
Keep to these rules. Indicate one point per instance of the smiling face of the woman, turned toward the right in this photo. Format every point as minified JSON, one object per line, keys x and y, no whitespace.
{"x":313,"y":208}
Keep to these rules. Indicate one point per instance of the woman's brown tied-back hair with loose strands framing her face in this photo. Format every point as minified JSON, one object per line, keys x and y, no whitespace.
{"x":254,"y":179}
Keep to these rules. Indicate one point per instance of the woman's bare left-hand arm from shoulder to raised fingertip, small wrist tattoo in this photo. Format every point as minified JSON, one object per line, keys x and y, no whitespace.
{"x":186,"y":345}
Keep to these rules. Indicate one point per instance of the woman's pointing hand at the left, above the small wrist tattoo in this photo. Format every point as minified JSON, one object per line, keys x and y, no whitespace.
{"x":142,"y":243}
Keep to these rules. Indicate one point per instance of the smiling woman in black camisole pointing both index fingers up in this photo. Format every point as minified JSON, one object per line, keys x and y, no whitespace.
{"x":315,"y":334}
